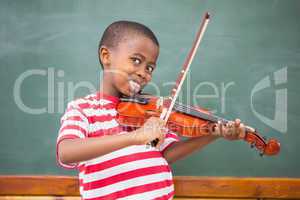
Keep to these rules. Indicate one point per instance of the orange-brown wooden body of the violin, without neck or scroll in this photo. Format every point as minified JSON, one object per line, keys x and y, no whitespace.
{"x":134,"y":113}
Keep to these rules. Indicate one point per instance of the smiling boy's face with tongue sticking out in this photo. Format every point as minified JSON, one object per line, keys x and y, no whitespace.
{"x":130,"y":66}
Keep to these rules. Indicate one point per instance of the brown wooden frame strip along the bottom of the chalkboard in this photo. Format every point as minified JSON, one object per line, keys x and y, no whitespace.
{"x":185,"y":186}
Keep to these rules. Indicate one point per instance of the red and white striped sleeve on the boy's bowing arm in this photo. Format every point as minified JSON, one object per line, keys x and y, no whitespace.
{"x":74,"y":124}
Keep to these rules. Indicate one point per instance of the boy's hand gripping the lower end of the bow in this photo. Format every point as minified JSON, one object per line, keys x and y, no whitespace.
{"x":152,"y":129}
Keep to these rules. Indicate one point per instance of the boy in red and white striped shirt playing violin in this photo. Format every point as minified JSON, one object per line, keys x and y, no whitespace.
{"x":114,"y":163}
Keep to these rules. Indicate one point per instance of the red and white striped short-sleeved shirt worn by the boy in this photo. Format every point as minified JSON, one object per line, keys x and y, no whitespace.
{"x":134,"y":172}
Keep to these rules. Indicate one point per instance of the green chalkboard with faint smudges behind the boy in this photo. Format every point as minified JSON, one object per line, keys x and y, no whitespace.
{"x":248,"y":66}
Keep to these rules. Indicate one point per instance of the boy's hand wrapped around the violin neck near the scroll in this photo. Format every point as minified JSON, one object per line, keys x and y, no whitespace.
{"x":233,"y":130}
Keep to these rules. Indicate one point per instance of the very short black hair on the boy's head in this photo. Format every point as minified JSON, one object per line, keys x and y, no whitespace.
{"x":118,"y":30}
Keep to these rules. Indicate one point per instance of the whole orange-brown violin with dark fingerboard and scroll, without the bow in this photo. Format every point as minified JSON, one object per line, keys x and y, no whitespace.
{"x":184,"y":120}
